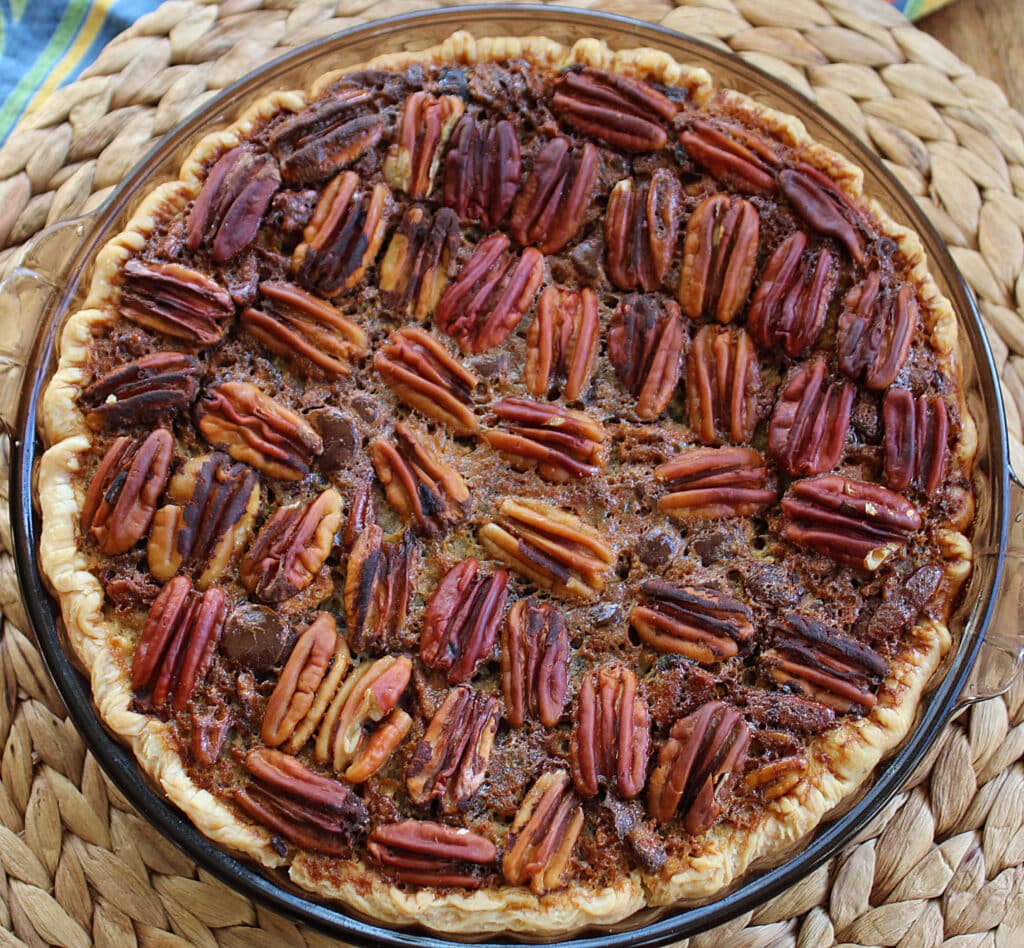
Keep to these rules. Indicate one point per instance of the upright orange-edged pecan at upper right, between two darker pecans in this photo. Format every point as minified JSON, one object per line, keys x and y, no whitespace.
{"x":720,"y":252}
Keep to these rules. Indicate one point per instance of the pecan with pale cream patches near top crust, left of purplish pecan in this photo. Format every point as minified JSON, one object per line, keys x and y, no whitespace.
{"x":424,"y":127}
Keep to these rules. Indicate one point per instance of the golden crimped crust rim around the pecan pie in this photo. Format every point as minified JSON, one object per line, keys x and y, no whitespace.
{"x":841,"y":760}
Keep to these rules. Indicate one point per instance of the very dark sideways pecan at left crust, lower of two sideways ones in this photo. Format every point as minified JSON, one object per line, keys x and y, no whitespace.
{"x":150,"y":390}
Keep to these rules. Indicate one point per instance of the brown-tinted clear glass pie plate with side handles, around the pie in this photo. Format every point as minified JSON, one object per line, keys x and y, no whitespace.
{"x":50,"y":281}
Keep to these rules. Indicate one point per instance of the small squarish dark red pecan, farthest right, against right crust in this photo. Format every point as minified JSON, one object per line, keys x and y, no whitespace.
{"x":917,"y":432}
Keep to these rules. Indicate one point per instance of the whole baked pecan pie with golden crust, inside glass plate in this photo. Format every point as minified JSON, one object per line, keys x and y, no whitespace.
{"x":509,"y":486}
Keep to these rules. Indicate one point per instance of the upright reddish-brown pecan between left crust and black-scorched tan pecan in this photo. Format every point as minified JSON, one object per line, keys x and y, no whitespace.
{"x":124,"y":491}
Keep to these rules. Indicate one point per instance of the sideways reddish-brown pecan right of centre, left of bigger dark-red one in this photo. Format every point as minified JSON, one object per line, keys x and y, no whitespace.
{"x":711,"y":484}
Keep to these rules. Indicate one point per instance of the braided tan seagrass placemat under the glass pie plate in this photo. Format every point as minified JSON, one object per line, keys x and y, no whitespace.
{"x":944,"y":864}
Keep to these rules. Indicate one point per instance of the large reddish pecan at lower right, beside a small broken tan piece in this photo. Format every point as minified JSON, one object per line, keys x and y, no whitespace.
{"x":699,"y":767}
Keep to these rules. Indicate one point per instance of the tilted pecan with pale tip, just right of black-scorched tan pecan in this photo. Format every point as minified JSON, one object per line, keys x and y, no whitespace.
{"x":291,"y":548}
